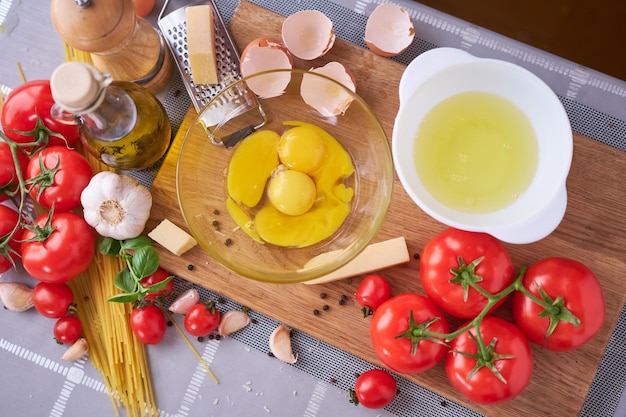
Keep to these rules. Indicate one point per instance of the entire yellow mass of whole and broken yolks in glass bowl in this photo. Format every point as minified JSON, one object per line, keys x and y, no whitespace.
{"x":303,"y":173}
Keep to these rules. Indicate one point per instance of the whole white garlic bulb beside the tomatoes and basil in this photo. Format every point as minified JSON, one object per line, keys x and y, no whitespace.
{"x":116,"y":205}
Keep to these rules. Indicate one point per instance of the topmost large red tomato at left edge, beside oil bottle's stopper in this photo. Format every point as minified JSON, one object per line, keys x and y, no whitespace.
{"x":21,"y":108}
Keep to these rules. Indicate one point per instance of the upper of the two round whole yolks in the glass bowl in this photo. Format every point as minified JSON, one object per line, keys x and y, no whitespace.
{"x":302,"y":149}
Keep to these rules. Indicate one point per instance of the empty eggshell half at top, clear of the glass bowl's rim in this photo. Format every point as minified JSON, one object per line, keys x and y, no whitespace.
{"x":308,"y":34}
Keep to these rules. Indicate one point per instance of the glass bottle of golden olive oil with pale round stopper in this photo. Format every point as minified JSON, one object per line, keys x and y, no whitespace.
{"x":121,"y":123}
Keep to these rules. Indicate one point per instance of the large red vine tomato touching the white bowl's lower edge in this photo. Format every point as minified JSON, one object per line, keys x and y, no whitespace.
{"x":453,"y":258}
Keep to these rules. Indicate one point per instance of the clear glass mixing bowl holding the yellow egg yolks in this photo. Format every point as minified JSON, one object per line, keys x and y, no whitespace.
{"x":222,"y":126}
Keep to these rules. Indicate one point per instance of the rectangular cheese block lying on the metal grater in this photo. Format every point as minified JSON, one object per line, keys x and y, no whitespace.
{"x":201,"y":44}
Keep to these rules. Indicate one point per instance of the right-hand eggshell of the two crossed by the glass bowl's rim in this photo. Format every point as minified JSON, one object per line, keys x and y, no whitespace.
{"x":325,"y":96}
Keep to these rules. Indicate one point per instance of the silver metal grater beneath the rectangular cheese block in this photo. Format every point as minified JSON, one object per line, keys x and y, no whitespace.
{"x":173,"y":28}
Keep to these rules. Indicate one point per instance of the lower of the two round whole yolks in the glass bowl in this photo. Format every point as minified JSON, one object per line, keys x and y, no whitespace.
{"x":292,"y":192}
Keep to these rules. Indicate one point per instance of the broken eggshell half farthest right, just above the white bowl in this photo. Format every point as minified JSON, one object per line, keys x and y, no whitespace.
{"x":389,"y":30}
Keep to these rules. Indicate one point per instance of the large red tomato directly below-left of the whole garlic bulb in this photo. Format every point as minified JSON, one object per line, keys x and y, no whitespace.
{"x":66,"y":249}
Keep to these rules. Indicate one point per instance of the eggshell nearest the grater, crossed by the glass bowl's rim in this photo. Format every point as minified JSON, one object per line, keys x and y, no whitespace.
{"x":265,"y":54}
